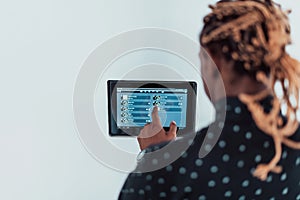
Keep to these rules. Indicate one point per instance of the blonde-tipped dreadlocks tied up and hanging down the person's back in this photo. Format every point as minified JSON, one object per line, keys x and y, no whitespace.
{"x":254,"y":34}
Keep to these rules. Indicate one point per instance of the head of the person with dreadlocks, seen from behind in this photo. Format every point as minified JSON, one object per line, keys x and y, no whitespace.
{"x":245,"y":37}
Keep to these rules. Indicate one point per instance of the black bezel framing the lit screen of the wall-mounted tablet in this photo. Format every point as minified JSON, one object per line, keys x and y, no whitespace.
{"x":134,"y":131}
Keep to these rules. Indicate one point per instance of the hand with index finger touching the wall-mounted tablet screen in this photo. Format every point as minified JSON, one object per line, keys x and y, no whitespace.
{"x":153,"y":133}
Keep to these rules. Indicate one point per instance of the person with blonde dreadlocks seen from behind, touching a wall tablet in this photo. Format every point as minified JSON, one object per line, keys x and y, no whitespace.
{"x":257,"y":154}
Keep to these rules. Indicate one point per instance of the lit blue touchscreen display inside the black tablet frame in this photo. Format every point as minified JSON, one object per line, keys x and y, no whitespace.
{"x":134,"y":106}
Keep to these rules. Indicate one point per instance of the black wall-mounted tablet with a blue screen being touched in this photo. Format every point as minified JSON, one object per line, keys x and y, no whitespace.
{"x":130,"y":104}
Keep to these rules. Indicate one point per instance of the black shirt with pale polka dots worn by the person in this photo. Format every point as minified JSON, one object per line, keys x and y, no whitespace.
{"x":226,"y":172}
